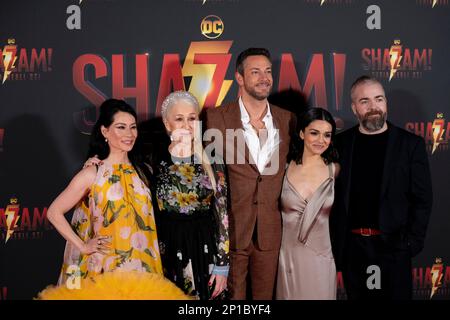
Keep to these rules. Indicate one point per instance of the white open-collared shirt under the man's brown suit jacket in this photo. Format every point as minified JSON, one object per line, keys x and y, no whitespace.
{"x":260,"y":152}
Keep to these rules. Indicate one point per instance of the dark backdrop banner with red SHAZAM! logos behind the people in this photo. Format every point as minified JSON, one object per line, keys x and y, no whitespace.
{"x":60,"y":59}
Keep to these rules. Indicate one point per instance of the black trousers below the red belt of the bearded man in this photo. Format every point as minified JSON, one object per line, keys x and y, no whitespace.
{"x":394,"y":266}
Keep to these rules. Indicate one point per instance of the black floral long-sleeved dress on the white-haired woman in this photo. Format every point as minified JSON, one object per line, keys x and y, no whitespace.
{"x":192,"y":223}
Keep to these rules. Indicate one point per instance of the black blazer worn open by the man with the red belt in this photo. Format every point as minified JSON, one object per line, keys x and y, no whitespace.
{"x":406,"y":192}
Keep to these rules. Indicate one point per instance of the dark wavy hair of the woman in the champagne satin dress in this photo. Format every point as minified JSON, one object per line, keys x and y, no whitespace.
{"x":297,"y":144}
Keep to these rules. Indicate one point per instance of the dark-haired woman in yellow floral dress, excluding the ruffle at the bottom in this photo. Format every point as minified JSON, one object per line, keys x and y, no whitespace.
{"x":113,"y":226}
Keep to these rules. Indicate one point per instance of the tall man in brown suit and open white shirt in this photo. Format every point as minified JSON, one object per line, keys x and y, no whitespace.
{"x":255,"y":180}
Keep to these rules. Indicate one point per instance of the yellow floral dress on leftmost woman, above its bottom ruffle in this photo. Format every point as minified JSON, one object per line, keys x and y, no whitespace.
{"x":119,"y":206}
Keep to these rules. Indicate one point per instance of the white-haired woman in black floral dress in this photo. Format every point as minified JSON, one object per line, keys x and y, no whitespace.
{"x":192,"y":220}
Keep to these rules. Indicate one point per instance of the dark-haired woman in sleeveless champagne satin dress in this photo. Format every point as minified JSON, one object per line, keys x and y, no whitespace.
{"x":306,"y":268}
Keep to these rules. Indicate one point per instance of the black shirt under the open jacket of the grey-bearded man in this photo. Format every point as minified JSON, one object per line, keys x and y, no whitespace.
{"x":366,"y":175}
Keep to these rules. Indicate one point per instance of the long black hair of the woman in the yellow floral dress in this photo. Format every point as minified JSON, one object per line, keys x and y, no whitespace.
{"x":98,"y":146}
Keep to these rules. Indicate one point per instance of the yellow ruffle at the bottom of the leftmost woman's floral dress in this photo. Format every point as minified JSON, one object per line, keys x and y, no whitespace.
{"x":118,"y":286}
